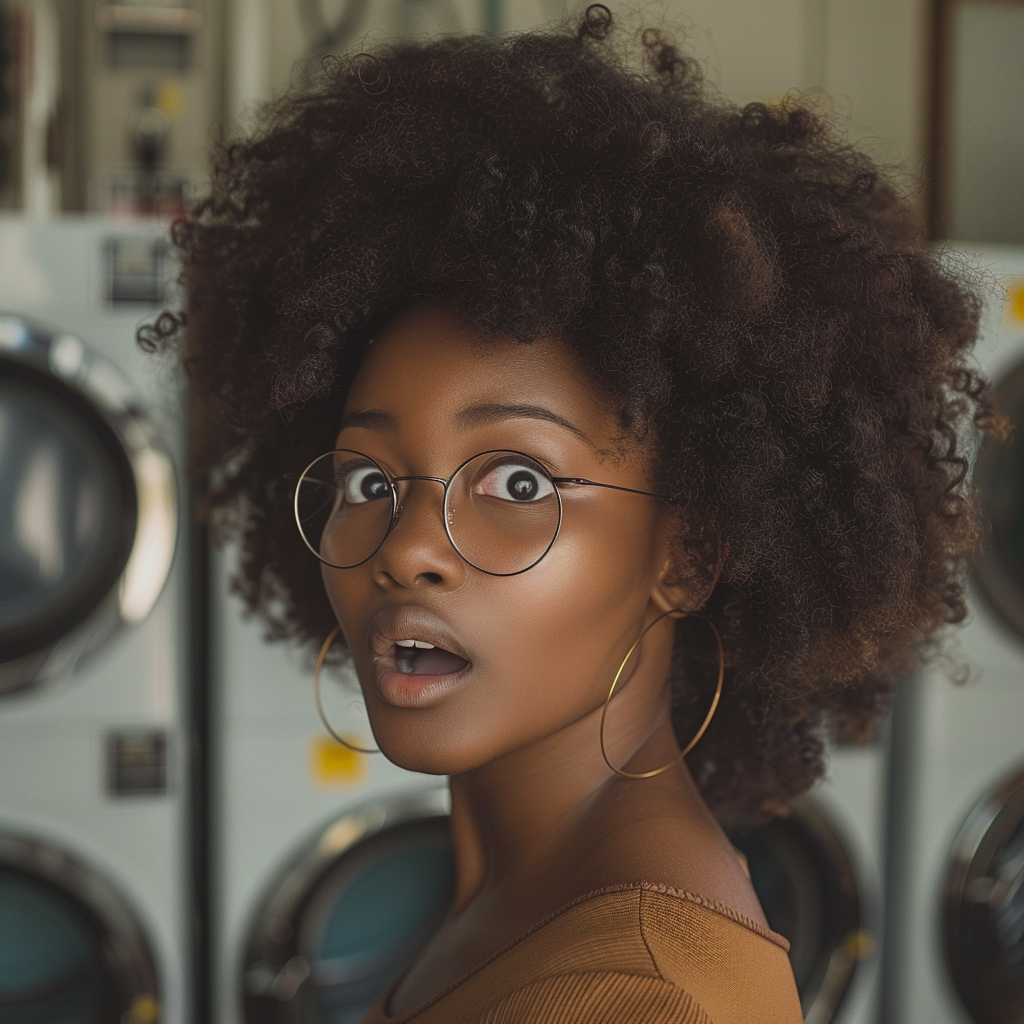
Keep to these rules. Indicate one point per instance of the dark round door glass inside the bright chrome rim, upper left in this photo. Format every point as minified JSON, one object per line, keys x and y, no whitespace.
{"x":68,"y":510}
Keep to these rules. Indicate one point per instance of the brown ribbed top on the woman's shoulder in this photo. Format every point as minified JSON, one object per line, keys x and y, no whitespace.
{"x":635,"y":954}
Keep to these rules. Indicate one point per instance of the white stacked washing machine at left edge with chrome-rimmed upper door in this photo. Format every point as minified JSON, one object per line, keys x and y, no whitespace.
{"x":95,"y":878}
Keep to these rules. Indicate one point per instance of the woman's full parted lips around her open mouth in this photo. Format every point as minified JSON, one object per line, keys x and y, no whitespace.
{"x":410,"y":622}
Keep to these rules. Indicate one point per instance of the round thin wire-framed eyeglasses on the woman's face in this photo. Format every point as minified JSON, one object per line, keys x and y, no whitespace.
{"x":502,"y":509}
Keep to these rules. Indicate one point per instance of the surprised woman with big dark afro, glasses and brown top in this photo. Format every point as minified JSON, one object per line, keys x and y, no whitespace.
{"x":619,"y":425}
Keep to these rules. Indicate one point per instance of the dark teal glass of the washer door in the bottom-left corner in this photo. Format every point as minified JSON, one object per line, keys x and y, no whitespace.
{"x":52,"y":965}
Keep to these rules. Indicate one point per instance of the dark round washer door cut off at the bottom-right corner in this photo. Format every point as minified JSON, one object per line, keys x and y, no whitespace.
{"x":984,"y":914}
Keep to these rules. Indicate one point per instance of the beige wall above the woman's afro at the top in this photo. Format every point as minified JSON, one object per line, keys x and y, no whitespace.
{"x":865,"y":59}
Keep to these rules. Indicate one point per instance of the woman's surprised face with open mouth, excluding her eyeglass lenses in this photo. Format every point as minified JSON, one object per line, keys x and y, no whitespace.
{"x":534,"y":653}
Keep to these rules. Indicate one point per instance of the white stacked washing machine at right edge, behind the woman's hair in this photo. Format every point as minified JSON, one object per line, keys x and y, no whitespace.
{"x":957,"y":909}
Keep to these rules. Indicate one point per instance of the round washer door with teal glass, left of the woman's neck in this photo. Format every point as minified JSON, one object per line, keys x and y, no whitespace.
{"x":362,"y":919}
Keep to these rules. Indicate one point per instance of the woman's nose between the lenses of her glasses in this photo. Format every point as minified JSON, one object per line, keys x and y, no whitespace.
{"x":417,"y":552}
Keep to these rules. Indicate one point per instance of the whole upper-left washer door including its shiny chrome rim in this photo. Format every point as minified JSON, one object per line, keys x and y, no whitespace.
{"x":89,"y":520}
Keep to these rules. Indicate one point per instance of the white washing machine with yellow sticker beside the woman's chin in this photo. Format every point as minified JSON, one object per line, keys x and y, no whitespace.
{"x":330,"y":869}
